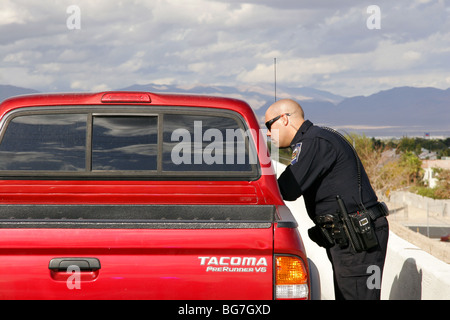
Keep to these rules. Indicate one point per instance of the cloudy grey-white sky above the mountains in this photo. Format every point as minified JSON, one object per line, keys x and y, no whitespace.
{"x":337,"y":46}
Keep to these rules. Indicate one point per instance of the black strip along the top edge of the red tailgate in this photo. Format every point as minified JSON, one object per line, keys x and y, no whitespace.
{"x":137,"y":216}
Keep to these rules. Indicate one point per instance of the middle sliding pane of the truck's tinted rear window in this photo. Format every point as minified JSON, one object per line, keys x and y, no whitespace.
{"x":124,"y":143}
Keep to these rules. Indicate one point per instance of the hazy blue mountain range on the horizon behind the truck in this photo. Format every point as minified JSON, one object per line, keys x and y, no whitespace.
{"x":401,"y":111}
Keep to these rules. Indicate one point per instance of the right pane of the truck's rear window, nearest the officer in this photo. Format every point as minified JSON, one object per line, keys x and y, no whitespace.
{"x":204,"y":143}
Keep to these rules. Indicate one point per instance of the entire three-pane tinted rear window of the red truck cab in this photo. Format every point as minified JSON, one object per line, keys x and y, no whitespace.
{"x":134,"y":142}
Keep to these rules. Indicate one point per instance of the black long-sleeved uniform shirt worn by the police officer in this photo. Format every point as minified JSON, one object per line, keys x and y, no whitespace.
{"x":323,"y":166}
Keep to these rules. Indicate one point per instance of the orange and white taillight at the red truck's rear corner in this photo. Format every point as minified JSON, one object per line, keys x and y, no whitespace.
{"x":291,"y":278}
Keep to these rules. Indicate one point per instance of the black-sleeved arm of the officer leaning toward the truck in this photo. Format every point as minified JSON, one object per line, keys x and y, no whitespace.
{"x":316,"y":157}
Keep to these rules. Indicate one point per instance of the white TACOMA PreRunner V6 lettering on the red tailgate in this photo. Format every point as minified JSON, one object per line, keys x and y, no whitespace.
{"x":234,"y":264}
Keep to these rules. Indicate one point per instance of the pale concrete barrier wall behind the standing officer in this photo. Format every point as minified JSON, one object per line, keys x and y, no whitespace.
{"x":409,"y":273}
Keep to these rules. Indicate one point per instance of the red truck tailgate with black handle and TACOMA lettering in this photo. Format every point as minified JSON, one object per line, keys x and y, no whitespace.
{"x":170,"y":258}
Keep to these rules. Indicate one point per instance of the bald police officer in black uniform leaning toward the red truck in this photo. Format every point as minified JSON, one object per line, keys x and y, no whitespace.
{"x":324,"y":167}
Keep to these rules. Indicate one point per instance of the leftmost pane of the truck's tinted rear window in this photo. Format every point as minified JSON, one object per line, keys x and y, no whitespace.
{"x":45,"y":142}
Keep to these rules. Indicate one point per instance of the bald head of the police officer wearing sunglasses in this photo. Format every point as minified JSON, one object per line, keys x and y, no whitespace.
{"x":291,"y":117}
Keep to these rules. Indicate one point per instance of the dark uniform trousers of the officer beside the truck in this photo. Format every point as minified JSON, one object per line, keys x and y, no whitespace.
{"x":357,"y":276}
